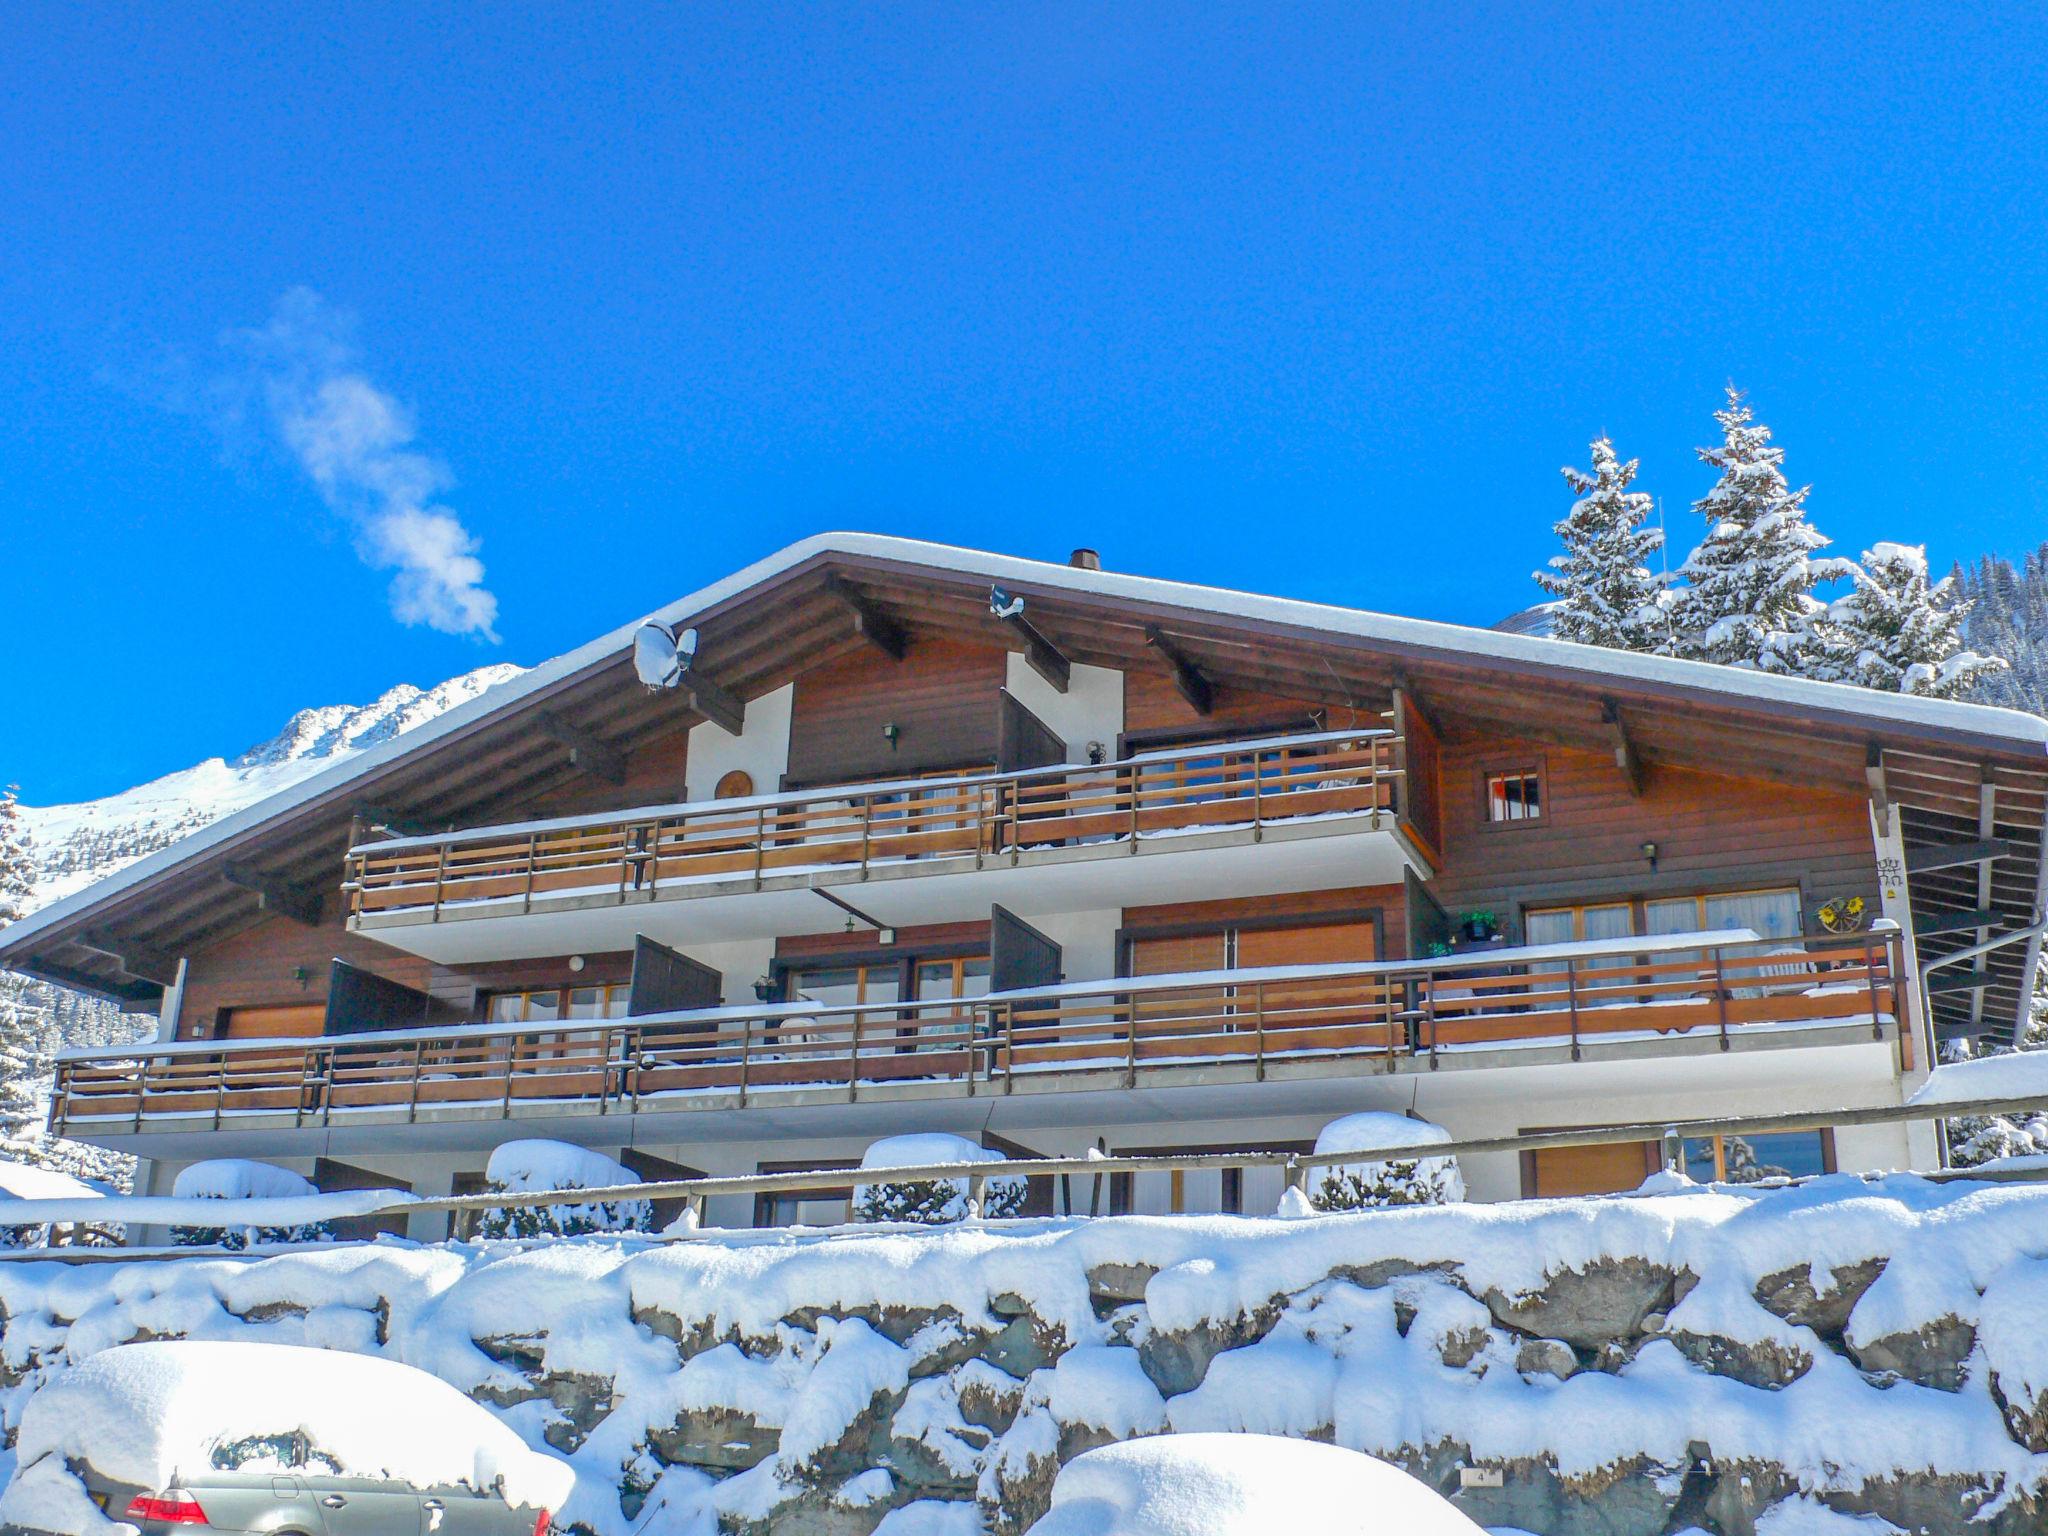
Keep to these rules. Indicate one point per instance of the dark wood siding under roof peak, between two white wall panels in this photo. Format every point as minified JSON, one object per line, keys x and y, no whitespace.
{"x":941,"y":697}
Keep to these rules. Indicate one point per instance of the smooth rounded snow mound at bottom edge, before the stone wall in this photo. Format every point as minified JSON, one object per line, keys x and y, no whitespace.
{"x":1242,"y":1486}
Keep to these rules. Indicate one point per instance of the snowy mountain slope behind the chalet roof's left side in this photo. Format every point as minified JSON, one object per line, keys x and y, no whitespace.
{"x":77,"y":845}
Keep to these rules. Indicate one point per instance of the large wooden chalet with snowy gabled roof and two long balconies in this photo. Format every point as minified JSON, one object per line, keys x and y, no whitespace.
{"x":910,"y":837}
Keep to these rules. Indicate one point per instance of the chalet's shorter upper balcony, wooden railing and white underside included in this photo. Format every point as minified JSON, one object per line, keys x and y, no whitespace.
{"x":1236,"y":818}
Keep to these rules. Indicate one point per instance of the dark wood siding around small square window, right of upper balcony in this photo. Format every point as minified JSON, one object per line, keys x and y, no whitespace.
{"x":1713,"y":835}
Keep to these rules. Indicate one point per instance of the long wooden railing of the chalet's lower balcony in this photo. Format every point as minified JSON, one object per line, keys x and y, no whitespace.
{"x":1658,"y":988}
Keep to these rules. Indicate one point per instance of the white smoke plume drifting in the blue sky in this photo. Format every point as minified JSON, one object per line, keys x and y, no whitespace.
{"x":361,"y":452}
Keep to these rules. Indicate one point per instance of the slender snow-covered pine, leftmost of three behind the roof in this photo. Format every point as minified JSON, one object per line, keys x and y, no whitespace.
{"x":1603,"y":583}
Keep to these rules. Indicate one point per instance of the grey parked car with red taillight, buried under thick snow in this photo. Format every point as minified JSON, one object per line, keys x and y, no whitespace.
{"x":146,"y":1435}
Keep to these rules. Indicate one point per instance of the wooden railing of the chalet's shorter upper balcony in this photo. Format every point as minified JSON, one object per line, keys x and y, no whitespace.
{"x":646,"y":853}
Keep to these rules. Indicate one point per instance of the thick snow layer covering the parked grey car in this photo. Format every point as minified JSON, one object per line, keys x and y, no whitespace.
{"x":144,"y":1412}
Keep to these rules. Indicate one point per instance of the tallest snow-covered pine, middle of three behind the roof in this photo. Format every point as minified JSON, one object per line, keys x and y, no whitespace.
{"x":1750,"y":583}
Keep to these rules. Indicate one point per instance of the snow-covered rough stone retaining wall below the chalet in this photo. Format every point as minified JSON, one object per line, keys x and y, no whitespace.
{"x":1629,"y":1365}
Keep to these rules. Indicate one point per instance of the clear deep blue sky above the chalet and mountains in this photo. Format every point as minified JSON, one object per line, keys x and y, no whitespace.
{"x":1306,"y":300}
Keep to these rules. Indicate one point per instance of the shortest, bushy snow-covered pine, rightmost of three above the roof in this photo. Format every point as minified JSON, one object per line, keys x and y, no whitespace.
{"x":1897,"y":632}
